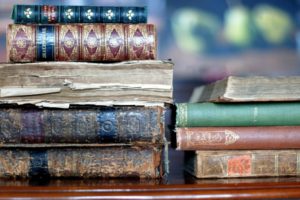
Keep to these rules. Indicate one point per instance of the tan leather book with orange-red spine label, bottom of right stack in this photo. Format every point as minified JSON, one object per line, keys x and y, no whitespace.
{"x":242,"y":163}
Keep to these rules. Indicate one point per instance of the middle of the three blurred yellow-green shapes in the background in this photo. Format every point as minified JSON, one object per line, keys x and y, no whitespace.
{"x":238,"y":26}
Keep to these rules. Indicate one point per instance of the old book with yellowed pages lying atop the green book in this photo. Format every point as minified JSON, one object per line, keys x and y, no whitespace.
{"x":247,"y":89}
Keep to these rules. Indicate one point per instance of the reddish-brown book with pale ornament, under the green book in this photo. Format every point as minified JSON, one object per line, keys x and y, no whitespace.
{"x":235,"y":138}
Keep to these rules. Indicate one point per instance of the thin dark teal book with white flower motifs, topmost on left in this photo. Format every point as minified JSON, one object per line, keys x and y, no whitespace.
{"x":50,"y":14}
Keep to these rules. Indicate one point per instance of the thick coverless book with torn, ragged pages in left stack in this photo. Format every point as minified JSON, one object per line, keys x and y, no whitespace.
{"x":60,"y":84}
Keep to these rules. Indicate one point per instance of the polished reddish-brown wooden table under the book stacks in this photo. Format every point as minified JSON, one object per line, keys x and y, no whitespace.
{"x":178,"y":185}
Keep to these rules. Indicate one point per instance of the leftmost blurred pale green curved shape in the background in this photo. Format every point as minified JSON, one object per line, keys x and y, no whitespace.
{"x":186,"y":21}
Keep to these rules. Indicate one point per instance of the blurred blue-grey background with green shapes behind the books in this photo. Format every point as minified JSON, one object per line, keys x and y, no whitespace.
{"x":210,"y":39}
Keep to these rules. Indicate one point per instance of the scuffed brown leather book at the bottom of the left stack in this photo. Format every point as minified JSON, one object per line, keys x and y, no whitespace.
{"x":81,"y":162}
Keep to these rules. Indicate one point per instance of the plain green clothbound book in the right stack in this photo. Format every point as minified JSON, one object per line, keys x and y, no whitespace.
{"x":238,"y":114}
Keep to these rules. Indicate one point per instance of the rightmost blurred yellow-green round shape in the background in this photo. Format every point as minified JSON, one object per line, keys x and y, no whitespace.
{"x":274,"y":24}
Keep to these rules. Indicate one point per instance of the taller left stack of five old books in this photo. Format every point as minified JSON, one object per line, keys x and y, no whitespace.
{"x":83,"y":119}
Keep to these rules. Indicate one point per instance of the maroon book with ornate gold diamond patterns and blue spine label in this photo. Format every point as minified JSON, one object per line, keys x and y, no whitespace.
{"x":81,"y":42}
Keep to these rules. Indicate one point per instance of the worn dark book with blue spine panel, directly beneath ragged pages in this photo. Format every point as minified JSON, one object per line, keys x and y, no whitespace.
{"x":105,"y":125}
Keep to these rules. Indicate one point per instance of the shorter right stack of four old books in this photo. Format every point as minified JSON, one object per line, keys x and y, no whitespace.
{"x":242,"y":127}
